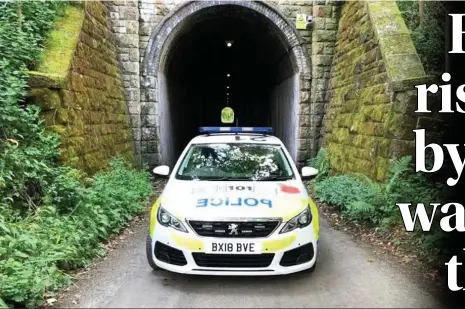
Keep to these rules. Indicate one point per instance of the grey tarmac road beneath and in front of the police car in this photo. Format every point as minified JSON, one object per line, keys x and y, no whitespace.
{"x":345,"y":277}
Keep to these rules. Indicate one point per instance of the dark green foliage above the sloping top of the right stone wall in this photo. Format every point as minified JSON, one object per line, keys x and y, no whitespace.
{"x":427,"y":32}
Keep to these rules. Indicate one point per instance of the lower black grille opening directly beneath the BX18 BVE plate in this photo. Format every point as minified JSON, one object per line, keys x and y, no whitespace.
{"x":233,"y":260}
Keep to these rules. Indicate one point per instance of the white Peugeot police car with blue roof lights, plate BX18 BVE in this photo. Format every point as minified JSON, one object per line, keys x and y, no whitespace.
{"x":234,"y":204}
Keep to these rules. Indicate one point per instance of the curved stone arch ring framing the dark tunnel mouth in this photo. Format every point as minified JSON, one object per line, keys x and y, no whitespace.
{"x":163,"y":34}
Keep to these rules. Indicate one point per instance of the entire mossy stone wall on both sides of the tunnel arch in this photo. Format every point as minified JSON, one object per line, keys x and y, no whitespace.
{"x":358,"y":68}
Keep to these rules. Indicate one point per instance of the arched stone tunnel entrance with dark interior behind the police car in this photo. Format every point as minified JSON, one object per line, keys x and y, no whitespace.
{"x":195,"y":73}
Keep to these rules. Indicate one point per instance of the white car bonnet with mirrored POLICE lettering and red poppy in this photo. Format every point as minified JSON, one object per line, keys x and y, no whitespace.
{"x":208,"y":200}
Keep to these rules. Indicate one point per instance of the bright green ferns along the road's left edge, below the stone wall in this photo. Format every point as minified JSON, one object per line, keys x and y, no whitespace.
{"x":35,"y":251}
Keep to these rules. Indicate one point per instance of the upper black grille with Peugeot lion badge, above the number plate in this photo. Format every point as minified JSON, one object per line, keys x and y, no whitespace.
{"x":245,"y":229}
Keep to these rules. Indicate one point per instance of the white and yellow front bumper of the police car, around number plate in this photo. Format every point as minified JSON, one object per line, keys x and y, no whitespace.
{"x":280,"y":253}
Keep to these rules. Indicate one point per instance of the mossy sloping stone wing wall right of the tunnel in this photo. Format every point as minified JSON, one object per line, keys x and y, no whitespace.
{"x":371,"y":96}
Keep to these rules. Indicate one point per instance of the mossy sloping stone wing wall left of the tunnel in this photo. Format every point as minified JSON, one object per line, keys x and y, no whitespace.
{"x":79,"y":89}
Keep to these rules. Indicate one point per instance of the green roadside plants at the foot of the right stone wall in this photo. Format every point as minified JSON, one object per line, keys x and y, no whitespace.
{"x":362,"y":200}
